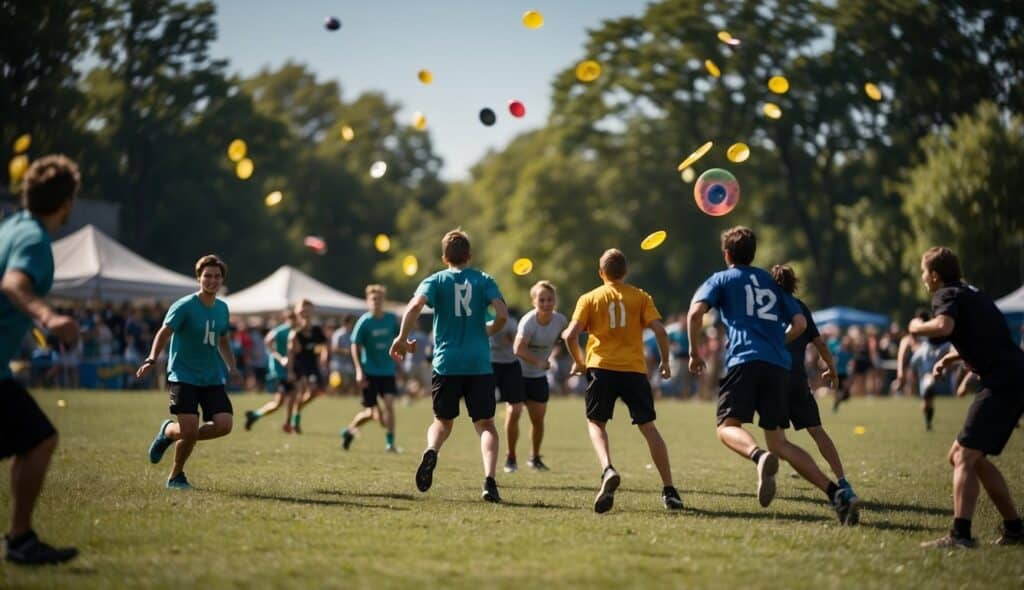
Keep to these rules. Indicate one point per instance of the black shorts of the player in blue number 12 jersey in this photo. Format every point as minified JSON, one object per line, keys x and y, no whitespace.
{"x":755,"y":387}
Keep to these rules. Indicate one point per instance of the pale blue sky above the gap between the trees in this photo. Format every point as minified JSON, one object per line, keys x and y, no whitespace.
{"x":480,"y":53}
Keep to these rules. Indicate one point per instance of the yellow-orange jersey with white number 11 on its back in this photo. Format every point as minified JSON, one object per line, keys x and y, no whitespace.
{"x":615,"y":316}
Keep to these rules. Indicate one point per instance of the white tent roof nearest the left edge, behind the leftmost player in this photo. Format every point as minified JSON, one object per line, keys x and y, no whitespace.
{"x":90,"y":264}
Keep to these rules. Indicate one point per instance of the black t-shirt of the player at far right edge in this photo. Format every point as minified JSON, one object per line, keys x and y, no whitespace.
{"x":980,"y":334}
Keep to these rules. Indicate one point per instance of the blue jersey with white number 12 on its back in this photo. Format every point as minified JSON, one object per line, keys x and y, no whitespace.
{"x":755,"y":311}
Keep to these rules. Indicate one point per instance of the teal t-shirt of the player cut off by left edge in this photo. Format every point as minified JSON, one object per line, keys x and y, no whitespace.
{"x":25,"y":246}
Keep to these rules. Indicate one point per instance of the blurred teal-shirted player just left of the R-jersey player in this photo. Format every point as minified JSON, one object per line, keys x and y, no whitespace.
{"x":372,"y":340}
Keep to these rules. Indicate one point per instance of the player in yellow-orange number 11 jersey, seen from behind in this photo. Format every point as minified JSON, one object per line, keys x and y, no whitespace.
{"x":615,"y":316}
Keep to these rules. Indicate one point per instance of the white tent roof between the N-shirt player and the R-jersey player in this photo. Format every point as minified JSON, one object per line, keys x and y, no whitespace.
{"x":284,"y":288}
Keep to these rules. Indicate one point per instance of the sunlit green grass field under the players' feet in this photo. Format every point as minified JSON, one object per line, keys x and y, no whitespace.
{"x":275,"y":511}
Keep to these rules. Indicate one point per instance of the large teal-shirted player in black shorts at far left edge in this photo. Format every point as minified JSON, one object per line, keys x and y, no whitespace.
{"x":27,"y":270}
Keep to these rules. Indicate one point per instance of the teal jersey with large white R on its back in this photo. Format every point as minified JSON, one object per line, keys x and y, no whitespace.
{"x":460,"y":300}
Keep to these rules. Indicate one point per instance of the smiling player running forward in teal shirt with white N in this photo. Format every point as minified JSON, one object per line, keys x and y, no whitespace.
{"x":197,"y":328}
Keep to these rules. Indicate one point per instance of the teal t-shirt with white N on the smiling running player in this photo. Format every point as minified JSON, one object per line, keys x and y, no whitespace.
{"x":194,"y":357}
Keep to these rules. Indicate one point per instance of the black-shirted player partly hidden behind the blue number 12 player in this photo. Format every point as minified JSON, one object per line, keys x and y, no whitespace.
{"x":802,"y":407}
